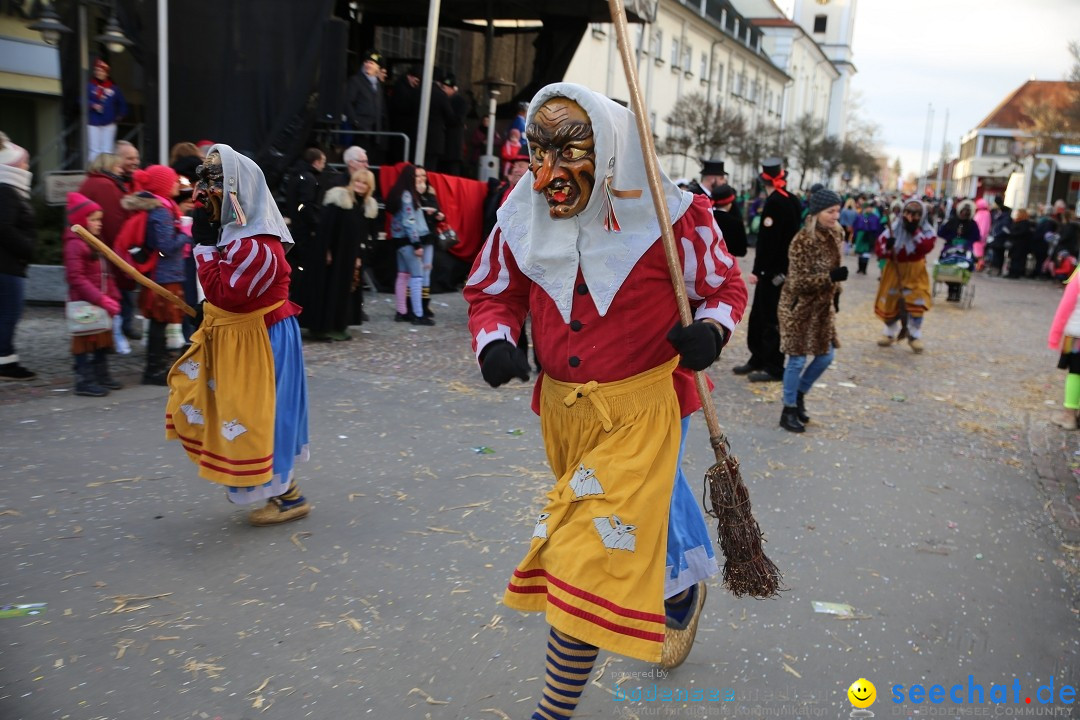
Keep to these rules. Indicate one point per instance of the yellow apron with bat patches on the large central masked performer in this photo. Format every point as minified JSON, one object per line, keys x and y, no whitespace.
{"x":597,"y":563}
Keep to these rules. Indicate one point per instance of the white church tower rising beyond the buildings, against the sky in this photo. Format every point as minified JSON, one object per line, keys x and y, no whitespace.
{"x":832,"y":24}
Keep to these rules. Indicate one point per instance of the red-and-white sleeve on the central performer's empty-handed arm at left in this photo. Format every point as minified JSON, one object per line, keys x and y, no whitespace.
{"x":498,"y":295}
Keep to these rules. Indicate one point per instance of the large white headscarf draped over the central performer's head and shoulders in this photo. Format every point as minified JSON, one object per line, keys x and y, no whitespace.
{"x":550,"y":252}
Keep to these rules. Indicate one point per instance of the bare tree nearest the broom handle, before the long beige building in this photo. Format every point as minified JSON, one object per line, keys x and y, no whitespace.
{"x":700,"y":131}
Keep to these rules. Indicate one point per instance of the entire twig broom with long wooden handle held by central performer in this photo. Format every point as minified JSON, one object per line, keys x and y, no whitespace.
{"x":747,"y":569}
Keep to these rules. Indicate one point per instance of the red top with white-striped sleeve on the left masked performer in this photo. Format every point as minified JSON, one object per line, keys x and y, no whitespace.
{"x":240,"y":273}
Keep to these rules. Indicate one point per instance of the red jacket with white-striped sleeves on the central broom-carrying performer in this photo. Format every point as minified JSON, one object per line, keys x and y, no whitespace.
{"x":631,"y":338}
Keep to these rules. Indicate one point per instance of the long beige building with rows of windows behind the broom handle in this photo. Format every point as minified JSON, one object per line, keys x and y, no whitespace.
{"x":693,"y":47}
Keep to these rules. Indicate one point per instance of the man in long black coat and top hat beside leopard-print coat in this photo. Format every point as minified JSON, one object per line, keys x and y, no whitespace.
{"x":780,"y":221}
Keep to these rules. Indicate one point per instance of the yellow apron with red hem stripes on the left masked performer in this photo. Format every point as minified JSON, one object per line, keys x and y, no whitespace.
{"x":222,"y":399}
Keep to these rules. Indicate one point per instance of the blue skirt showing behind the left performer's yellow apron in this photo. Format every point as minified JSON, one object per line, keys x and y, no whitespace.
{"x":291,"y":414}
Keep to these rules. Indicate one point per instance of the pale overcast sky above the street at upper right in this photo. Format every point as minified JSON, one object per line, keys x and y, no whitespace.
{"x":962,"y":56}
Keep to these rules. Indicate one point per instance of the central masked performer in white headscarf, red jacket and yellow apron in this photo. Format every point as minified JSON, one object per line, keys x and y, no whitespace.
{"x":620,"y":551}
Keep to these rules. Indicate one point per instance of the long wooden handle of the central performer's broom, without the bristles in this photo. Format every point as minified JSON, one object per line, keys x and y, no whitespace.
{"x":653,"y":172}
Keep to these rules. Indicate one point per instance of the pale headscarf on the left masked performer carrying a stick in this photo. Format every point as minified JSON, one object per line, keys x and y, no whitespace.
{"x":248,"y":207}
